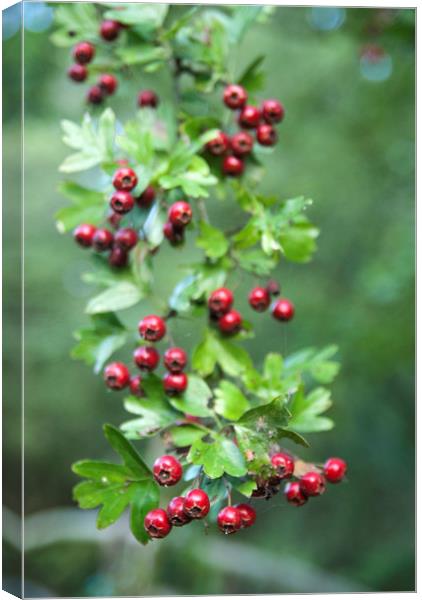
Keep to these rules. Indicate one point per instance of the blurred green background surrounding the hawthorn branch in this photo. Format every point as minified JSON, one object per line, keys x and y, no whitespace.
{"x":347,"y":142}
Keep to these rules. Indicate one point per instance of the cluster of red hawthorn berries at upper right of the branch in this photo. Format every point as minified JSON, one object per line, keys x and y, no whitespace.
{"x":236,"y":148}
